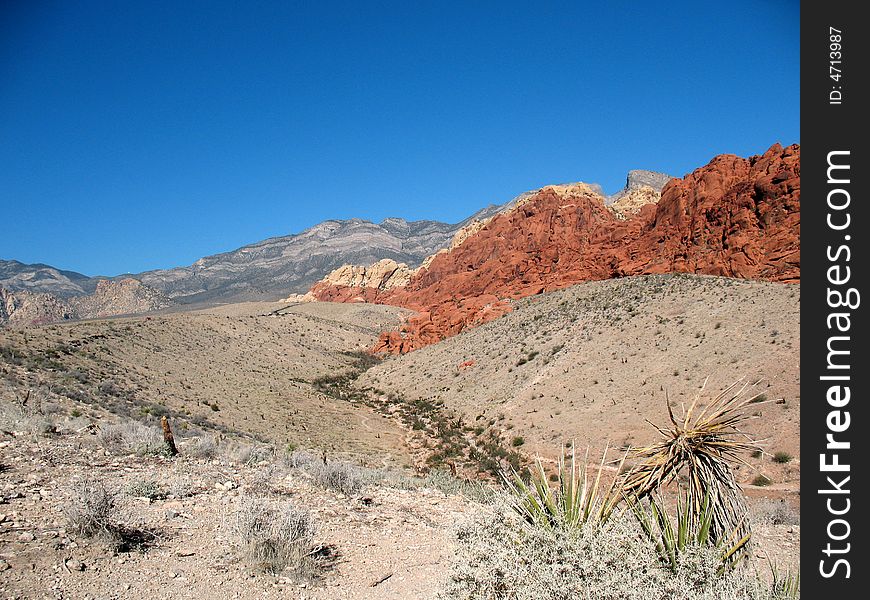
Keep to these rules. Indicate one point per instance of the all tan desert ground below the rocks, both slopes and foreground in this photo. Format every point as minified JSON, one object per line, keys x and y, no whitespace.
{"x":310,"y":469}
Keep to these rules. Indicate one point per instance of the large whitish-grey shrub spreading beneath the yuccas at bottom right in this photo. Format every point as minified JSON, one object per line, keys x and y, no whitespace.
{"x":499,"y":557}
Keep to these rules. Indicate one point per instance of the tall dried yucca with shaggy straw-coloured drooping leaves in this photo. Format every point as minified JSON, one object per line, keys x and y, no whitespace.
{"x":701,"y":443}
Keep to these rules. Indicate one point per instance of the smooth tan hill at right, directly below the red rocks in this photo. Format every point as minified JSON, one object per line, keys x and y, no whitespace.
{"x":591,"y":362}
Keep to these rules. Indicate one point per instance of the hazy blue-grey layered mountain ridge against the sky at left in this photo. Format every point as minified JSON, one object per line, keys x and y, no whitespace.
{"x":262,"y":271}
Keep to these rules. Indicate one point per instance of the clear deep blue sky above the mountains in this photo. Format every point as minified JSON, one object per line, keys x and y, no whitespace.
{"x":137,"y":135}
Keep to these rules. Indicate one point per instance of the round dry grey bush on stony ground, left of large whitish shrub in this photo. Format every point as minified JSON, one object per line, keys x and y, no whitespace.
{"x":276,"y":538}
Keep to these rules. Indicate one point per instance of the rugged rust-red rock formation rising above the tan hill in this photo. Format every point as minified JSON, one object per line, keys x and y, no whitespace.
{"x":735,"y":217}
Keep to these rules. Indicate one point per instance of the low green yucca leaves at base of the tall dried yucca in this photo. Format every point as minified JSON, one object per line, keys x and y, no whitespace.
{"x":692,"y":530}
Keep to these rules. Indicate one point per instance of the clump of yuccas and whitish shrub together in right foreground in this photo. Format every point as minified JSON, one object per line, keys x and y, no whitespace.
{"x":570,"y":529}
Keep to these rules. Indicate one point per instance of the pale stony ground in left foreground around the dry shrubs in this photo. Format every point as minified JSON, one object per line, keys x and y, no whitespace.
{"x":382,"y":543}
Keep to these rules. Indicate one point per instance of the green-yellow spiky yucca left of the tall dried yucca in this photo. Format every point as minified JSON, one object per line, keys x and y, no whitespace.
{"x":572,"y":503}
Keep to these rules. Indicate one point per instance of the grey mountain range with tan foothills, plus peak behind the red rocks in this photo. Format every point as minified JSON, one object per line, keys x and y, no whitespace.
{"x":266,"y":270}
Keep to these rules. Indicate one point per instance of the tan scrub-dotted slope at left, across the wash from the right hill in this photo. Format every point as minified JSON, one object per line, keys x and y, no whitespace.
{"x":243,"y":368}
